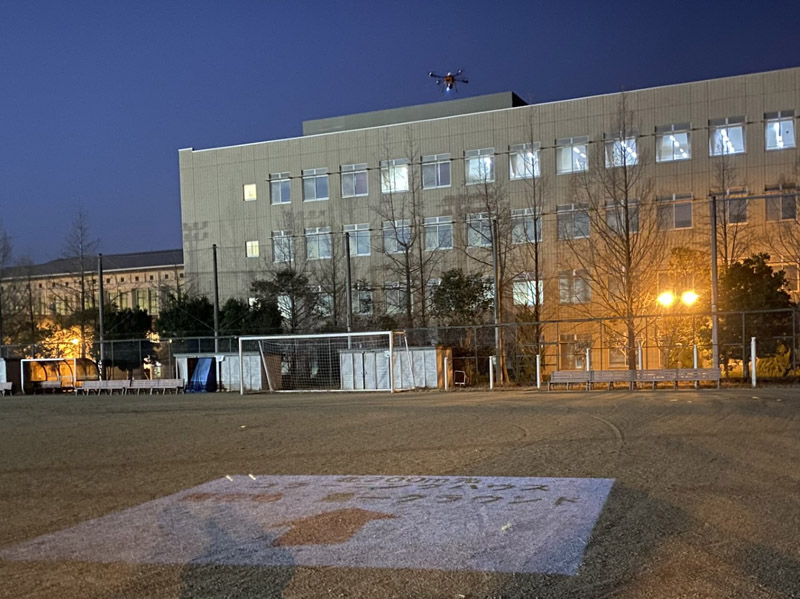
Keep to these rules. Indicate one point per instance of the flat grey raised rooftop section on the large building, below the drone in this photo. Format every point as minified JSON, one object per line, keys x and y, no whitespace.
{"x":408,"y":114}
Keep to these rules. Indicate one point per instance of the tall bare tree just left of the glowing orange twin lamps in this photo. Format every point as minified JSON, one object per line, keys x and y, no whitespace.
{"x":625,"y":244}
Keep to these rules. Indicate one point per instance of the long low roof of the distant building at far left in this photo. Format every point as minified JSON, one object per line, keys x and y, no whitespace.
{"x":111,"y":262}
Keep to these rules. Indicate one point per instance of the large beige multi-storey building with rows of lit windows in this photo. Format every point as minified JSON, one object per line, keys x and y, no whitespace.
{"x":441,"y":171}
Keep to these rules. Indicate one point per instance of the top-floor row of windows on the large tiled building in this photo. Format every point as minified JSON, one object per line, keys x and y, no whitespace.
{"x":673,"y":143}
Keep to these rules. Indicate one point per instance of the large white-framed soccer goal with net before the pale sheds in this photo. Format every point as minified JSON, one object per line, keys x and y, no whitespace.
{"x":376,"y":361}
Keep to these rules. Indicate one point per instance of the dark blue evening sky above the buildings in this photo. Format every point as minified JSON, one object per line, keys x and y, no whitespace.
{"x":96,"y":98}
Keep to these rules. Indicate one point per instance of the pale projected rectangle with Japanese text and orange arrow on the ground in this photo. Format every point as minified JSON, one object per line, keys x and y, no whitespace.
{"x":497,"y":524}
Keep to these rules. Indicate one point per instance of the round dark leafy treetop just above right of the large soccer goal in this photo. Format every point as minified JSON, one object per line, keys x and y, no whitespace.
{"x":461,"y":299}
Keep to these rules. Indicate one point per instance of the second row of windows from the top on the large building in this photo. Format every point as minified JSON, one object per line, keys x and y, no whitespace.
{"x":573,"y":222}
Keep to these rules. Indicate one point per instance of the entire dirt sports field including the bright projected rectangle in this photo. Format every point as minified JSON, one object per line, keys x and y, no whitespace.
{"x":461,"y":495}
